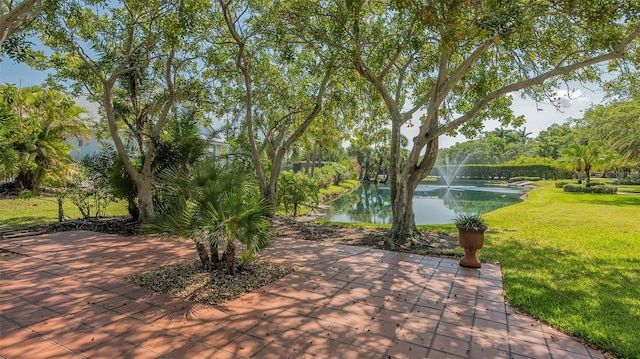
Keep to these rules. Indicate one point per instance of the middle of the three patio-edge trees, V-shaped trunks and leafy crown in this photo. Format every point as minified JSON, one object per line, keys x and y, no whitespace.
{"x":284,"y":84}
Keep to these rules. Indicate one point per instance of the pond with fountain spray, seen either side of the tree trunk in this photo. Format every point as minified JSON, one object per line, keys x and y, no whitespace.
{"x":432,"y":204}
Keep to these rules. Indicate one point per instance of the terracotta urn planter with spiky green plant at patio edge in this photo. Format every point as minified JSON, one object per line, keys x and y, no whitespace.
{"x":471,"y":227}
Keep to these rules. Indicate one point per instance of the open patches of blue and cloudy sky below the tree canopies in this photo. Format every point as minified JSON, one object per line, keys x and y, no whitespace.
{"x":572,"y":102}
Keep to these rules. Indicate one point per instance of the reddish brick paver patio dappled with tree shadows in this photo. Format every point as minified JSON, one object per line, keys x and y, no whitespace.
{"x":64,"y":298}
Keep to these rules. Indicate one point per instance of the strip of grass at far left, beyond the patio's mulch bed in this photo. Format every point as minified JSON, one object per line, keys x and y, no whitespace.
{"x":17,"y":213}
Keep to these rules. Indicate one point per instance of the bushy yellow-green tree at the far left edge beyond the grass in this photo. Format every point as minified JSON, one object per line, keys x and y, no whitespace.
{"x":36,"y":126}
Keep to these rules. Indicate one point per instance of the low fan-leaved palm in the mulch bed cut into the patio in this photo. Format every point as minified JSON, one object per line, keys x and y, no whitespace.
{"x":216,"y":206}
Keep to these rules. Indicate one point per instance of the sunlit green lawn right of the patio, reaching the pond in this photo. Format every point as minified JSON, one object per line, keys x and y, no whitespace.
{"x":573,"y":260}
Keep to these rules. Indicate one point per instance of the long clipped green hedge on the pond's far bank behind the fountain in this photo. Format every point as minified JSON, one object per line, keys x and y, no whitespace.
{"x":507,"y":171}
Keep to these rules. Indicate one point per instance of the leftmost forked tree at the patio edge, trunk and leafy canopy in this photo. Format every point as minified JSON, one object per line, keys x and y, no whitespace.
{"x":138,"y":59}
